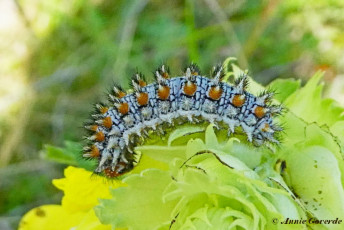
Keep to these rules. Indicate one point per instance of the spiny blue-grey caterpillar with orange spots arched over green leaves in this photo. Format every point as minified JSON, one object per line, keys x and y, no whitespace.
{"x":193,"y":98}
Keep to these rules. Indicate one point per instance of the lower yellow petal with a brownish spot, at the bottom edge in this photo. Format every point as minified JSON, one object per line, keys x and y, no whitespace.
{"x":52,"y":217}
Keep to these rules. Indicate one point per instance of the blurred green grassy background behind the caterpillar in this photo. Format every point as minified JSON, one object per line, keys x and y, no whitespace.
{"x":59,"y":57}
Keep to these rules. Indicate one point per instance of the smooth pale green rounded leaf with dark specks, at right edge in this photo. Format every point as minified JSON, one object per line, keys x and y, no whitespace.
{"x":316,"y":178}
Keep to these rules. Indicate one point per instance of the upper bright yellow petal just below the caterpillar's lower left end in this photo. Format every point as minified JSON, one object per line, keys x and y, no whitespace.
{"x":82,"y":189}
